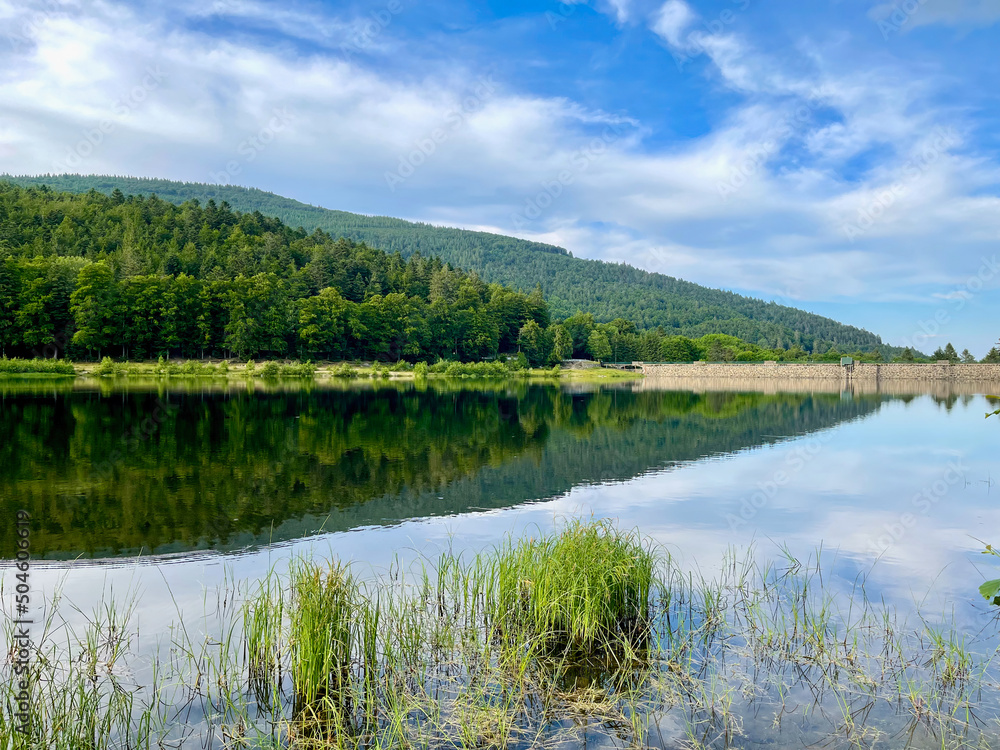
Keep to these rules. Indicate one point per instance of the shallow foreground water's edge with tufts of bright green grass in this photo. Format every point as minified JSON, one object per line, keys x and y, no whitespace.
{"x":587,"y":632}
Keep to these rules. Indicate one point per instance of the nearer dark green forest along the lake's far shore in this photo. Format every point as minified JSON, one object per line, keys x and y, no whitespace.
{"x":92,"y":275}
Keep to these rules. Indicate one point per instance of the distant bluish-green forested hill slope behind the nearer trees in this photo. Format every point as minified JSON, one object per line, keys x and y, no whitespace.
{"x":607,"y":290}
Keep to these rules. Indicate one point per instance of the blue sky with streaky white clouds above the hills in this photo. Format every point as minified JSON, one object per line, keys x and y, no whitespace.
{"x":841,"y":156}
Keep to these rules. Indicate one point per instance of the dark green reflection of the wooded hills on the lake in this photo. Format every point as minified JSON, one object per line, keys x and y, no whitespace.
{"x":108,"y":471}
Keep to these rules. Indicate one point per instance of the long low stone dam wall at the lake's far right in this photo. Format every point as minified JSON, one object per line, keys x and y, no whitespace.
{"x":795,"y":371}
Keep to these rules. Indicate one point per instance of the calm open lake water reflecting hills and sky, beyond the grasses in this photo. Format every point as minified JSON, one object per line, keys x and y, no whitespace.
{"x":171,"y":491}
